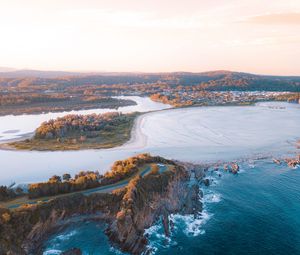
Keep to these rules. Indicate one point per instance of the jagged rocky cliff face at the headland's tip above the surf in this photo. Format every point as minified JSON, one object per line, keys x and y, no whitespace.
{"x":146,"y":200}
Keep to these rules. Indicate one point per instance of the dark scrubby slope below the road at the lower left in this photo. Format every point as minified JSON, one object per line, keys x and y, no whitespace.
{"x":23,"y":230}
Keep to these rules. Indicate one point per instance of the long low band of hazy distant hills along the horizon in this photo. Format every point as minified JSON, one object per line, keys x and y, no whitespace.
{"x":214,"y":80}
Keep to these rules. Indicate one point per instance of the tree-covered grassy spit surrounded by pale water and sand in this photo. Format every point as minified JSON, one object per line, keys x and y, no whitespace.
{"x":73,"y":132}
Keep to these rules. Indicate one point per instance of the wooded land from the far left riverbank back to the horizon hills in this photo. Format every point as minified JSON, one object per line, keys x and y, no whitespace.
{"x":22,"y":94}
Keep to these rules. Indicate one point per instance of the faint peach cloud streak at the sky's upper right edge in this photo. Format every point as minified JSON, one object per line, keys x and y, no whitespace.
{"x":291,"y":18}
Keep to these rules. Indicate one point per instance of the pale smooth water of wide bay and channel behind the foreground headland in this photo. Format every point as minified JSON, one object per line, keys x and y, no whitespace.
{"x":194,"y":134}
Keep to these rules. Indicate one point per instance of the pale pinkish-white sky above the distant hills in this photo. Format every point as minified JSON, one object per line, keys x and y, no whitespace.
{"x":257,"y":36}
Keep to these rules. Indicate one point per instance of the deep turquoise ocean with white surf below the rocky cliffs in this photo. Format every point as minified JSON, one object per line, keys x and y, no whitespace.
{"x":254,"y":212}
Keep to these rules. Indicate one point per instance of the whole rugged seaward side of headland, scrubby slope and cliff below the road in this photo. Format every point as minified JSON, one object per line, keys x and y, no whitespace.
{"x":128,"y":211}
